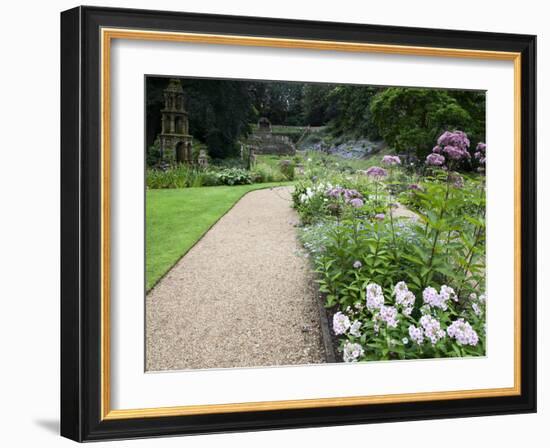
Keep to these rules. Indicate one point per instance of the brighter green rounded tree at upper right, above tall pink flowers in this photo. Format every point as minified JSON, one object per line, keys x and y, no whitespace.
{"x":410,"y":119}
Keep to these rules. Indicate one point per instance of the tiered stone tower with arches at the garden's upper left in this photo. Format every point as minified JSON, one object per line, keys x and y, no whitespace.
{"x":175,"y":141}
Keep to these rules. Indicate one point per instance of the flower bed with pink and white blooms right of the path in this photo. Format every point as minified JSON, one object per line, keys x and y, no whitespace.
{"x":401,"y":287}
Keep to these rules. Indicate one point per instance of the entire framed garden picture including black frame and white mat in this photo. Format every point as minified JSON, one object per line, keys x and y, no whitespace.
{"x":276,"y":224}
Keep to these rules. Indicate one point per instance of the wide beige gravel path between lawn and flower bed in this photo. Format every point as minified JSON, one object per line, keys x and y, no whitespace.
{"x":241,"y":297}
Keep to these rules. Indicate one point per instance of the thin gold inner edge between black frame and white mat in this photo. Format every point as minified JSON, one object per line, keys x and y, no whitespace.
{"x":107,"y":35}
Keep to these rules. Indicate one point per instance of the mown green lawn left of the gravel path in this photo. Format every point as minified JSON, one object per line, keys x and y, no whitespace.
{"x":178,"y":218}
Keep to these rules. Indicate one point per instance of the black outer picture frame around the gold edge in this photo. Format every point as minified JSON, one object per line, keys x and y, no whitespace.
{"x":81,"y":224}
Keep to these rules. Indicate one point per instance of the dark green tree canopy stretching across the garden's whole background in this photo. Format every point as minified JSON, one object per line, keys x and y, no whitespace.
{"x":407,"y":119}
